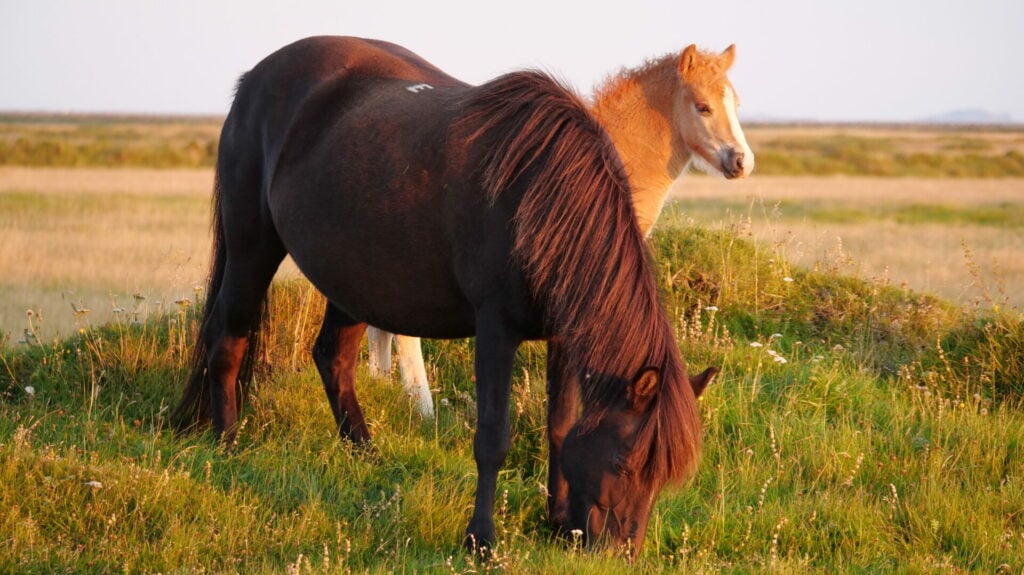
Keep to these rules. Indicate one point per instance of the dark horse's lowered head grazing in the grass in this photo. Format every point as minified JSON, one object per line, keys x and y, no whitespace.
{"x":611,"y":493}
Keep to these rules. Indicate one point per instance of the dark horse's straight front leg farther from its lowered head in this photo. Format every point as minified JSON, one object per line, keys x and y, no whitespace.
{"x":496,"y":348}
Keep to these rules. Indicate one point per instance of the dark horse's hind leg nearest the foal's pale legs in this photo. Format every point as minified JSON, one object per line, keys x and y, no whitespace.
{"x":336,"y":352}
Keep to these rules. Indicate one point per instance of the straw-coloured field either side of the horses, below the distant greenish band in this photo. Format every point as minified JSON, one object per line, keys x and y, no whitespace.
{"x":96,"y":238}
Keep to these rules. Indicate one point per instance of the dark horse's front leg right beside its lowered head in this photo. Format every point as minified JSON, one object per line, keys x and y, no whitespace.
{"x":563,"y":414}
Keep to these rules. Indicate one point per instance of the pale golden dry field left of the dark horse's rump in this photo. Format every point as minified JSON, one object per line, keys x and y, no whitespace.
{"x":99,"y":240}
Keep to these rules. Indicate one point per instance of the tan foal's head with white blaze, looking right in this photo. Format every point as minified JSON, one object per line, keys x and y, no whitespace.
{"x":705,"y":110}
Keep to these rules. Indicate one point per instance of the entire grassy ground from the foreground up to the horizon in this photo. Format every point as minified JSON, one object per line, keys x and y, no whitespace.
{"x":858,"y":426}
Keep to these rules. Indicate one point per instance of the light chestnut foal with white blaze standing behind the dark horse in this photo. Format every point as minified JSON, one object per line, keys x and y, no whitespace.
{"x":665,"y":116}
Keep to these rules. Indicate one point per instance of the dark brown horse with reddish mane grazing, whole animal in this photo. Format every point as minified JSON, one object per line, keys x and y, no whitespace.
{"x":424,"y":206}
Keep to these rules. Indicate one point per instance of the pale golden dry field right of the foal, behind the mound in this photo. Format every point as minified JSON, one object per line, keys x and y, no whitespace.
{"x":960,"y":239}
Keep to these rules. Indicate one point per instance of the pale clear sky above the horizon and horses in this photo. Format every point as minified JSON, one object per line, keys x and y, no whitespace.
{"x":806,"y":60}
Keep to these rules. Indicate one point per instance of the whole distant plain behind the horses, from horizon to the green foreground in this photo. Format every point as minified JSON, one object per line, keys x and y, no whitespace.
{"x":95,"y":237}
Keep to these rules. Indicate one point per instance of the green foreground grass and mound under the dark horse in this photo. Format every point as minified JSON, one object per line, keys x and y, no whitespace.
{"x":891,"y":440}
